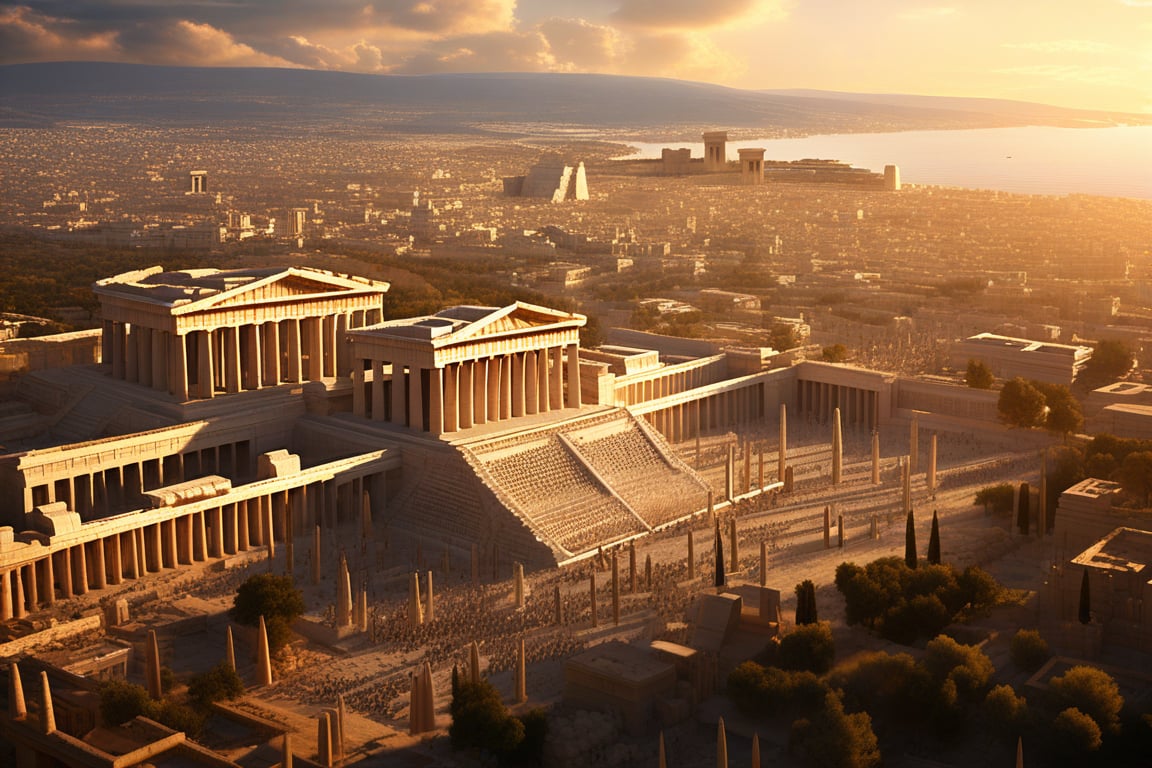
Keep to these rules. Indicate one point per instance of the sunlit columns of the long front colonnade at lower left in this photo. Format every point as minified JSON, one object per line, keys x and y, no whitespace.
{"x":207,"y":530}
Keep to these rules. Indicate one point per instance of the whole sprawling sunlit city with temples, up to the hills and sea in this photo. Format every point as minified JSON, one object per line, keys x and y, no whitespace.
{"x":357,"y":444}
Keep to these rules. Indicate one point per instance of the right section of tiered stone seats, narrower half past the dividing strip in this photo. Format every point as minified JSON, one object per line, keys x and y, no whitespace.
{"x":658,"y":489}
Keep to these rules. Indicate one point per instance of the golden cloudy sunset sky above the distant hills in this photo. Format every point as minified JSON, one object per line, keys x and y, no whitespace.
{"x":1075,"y":54}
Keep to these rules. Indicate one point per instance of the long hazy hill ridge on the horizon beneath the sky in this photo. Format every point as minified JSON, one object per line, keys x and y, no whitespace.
{"x":47,"y":94}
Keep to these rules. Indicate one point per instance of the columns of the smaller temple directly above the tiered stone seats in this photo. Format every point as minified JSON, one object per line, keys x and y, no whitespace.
{"x":461,"y":396}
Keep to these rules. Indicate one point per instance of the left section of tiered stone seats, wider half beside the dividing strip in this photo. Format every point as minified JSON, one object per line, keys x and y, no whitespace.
{"x":555,"y":491}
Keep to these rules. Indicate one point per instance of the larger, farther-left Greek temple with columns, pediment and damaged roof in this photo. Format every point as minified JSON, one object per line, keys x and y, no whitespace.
{"x":199,"y":333}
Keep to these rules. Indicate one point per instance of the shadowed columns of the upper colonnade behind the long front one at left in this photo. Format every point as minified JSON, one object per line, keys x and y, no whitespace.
{"x":101,"y":493}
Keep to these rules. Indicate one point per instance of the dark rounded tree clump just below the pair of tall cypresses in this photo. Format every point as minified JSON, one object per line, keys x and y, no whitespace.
{"x":905,"y":605}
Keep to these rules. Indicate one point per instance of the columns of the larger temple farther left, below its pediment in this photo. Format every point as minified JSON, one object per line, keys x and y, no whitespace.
{"x":232,"y":359}
